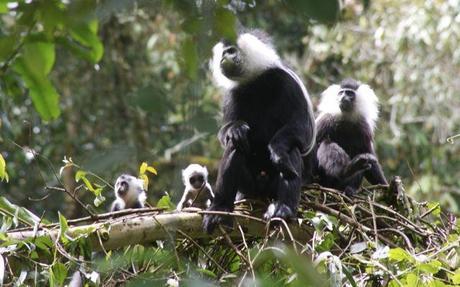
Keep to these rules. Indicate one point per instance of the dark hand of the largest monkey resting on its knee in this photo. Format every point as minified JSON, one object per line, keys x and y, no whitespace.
{"x":234,"y":133}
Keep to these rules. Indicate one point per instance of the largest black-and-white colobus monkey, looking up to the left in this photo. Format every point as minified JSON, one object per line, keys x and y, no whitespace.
{"x":268,"y":125}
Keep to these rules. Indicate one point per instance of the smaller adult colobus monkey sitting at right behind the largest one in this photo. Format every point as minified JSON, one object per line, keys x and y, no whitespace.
{"x":345,"y":139}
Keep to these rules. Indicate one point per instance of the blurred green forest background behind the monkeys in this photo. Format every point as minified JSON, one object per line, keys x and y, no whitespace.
{"x":115,"y":83}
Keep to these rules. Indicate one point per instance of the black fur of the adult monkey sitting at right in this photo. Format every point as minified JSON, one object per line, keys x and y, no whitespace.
{"x":344,"y":151}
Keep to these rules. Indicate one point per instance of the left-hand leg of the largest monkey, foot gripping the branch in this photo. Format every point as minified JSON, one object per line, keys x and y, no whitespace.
{"x":233,"y":175}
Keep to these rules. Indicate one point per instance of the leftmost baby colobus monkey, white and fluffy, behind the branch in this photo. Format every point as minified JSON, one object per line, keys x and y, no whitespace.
{"x":129,"y":193}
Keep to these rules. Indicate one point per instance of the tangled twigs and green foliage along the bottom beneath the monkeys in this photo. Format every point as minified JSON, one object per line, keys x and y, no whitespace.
{"x":352,"y":242}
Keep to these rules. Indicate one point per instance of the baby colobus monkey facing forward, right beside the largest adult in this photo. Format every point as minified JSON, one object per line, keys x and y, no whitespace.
{"x":198,"y":192}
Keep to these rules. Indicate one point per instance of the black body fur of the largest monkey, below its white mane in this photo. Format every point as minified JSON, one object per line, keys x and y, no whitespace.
{"x":267,"y":126}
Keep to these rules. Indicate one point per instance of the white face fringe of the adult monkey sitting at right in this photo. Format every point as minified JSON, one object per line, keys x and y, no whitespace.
{"x":366,"y":104}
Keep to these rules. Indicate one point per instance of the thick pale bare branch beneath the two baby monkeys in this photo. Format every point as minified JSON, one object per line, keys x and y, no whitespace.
{"x":145,"y":228}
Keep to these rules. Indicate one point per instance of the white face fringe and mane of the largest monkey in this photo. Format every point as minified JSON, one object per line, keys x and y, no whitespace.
{"x":257,"y":57}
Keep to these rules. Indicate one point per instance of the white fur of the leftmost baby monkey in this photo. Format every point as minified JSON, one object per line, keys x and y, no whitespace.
{"x":135,"y":192}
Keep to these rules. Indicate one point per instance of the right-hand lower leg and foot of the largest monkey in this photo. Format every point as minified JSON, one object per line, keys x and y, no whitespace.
{"x":287,"y":190}
